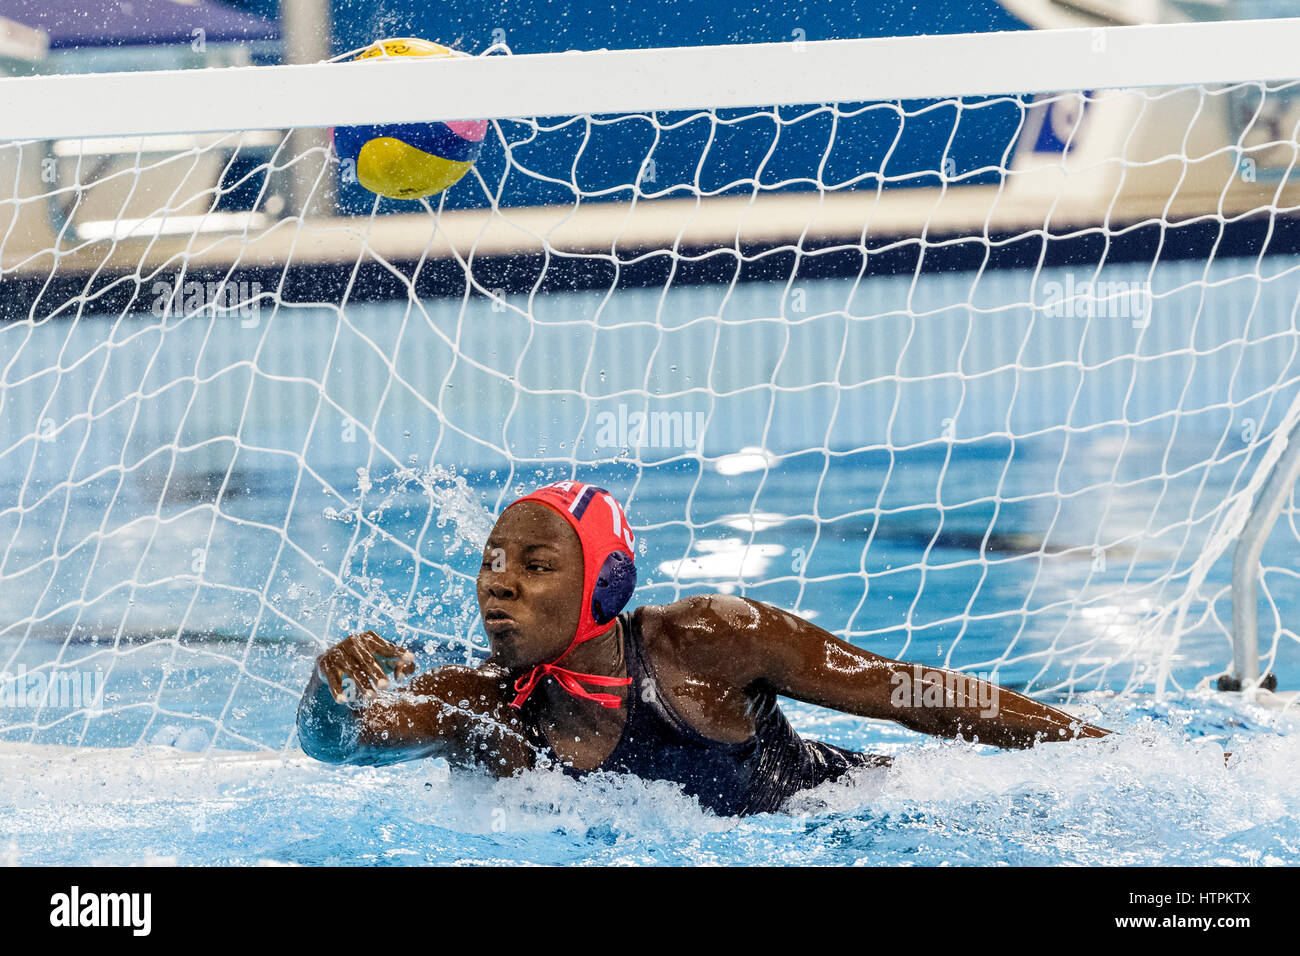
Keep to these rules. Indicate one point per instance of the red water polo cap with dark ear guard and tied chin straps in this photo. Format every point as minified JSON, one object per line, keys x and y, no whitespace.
{"x":609,"y":579}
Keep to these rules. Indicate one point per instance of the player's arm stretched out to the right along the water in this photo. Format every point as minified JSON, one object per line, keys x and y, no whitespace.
{"x":796,"y":659}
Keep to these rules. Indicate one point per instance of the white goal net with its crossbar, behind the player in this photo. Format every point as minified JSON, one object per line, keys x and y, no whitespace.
{"x":981,"y":369}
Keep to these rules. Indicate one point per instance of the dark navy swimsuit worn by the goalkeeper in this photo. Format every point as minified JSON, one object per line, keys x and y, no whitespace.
{"x":756,"y":776}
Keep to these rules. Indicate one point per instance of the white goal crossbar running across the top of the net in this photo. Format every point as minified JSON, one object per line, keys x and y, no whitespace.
{"x":753,"y":75}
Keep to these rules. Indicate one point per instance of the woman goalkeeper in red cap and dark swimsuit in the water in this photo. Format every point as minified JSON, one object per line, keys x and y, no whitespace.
{"x":683,"y":693}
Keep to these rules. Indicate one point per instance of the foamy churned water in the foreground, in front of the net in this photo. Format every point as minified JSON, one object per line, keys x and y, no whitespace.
{"x":1158,"y":794}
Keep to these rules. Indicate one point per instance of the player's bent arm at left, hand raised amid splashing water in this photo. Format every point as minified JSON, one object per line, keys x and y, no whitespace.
{"x":457,"y":713}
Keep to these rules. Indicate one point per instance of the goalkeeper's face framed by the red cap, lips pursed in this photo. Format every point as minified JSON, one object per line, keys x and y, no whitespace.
{"x":531,"y":586}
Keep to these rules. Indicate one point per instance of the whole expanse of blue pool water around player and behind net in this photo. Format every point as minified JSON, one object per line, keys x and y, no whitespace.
{"x":214,"y":524}
